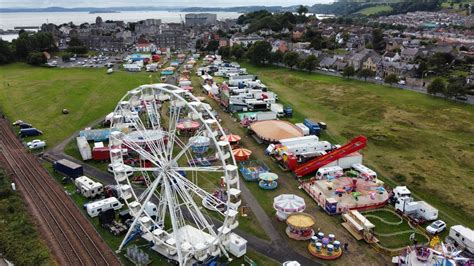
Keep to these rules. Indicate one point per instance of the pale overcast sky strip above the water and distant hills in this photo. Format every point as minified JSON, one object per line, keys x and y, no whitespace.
{"x":181,"y":3}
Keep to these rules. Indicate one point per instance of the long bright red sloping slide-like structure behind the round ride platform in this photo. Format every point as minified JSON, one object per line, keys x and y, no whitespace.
{"x":313,"y":165}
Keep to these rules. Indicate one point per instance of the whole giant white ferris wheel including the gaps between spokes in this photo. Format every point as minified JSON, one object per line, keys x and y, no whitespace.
{"x":166,"y":138}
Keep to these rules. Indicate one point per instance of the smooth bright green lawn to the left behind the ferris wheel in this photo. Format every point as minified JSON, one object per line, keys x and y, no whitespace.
{"x":38,"y":95}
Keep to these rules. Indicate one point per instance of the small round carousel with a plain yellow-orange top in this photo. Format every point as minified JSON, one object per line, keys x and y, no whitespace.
{"x":300,"y":226}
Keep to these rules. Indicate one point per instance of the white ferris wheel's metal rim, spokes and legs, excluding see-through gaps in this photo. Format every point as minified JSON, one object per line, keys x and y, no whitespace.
{"x":168,"y":165}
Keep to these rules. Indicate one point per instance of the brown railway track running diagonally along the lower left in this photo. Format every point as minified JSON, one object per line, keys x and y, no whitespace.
{"x":71,"y":237}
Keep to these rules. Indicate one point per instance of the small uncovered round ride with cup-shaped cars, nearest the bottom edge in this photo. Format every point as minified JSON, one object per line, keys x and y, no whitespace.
{"x":325,"y":247}
